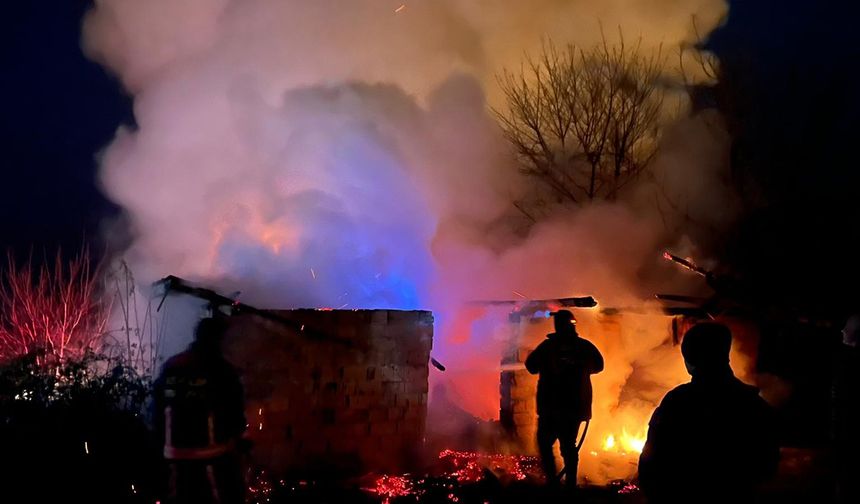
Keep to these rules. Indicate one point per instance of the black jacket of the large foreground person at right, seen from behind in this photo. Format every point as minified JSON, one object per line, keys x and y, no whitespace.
{"x":710,"y":440}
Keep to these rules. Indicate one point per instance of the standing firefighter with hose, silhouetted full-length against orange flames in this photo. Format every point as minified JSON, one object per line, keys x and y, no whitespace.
{"x":565,"y":363}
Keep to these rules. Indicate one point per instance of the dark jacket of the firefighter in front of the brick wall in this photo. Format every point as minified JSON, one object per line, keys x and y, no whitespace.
{"x":205,"y":398}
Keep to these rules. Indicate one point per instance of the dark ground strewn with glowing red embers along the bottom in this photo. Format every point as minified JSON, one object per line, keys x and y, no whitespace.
{"x":469,"y":477}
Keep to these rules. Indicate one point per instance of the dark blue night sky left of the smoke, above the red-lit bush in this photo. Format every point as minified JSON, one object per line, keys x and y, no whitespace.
{"x":59,"y":110}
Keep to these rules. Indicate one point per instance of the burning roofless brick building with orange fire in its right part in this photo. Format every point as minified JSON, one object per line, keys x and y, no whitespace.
{"x":346,"y":391}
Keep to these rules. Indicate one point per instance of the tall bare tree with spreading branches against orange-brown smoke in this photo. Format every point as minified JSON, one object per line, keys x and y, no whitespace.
{"x":583,"y":123}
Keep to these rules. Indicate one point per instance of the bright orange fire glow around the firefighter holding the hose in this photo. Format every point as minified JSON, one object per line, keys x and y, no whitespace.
{"x":641,"y":364}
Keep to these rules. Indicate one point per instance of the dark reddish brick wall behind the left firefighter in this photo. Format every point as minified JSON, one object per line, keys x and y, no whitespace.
{"x":317,"y":406}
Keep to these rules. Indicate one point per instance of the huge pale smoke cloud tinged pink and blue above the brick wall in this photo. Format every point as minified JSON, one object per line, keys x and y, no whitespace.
{"x":267,"y":129}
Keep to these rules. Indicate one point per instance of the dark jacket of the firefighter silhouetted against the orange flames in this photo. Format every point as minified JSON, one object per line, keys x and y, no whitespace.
{"x":565,"y":363}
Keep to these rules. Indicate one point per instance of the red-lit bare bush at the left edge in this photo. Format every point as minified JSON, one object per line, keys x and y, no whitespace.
{"x":64,"y":309}
